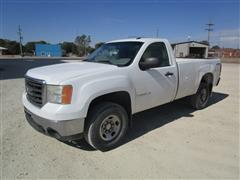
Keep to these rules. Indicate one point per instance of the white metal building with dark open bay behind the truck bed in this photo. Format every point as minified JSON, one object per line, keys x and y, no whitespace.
{"x":191,"y":49}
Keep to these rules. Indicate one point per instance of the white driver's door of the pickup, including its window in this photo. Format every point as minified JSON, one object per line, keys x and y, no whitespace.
{"x":158,"y":85}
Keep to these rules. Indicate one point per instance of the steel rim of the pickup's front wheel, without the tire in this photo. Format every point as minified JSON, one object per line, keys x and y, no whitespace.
{"x":110,"y":127}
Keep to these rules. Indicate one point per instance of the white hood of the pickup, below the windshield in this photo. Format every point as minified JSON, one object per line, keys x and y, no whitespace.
{"x":55,"y":74}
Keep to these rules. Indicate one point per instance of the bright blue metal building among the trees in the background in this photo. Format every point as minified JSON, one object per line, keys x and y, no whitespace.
{"x":48,"y":50}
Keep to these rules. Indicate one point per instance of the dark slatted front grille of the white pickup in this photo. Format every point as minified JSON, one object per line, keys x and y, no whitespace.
{"x":35,"y":91}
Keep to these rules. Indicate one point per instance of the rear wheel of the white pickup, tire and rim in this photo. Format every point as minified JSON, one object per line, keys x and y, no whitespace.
{"x":200,"y":99}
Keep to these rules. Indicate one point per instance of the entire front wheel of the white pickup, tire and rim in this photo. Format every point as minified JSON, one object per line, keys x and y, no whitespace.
{"x":106,"y":125}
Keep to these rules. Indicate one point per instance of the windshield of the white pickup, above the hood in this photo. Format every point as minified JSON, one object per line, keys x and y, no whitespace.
{"x":118,"y":53}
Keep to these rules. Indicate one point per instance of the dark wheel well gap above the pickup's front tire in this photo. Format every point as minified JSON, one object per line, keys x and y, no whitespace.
{"x":121,"y":97}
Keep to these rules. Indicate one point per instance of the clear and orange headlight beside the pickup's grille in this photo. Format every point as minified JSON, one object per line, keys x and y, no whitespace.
{"x":59,"y":94}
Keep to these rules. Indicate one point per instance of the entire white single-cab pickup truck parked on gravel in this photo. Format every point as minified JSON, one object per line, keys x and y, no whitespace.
{"x":96,"y":98}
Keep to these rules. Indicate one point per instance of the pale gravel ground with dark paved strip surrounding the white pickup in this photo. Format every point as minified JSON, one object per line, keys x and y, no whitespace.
{"x":171,"y":141}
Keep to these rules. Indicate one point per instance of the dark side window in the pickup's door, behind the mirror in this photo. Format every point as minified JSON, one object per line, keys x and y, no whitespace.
{"x":157,"y":50}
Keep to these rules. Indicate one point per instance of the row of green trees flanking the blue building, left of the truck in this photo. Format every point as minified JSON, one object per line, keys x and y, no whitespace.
{"x":80,"y":46}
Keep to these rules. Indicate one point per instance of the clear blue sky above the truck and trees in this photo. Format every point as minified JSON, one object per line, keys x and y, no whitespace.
{"x":56,"y":21}
